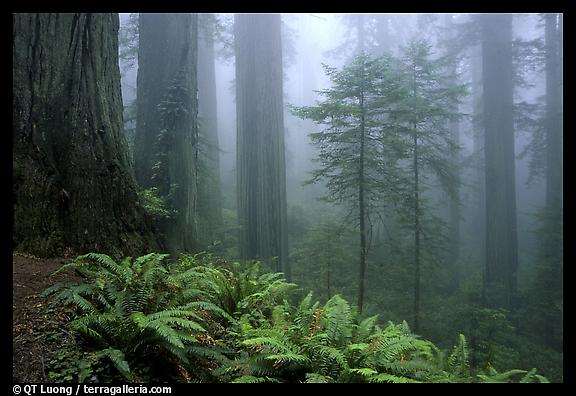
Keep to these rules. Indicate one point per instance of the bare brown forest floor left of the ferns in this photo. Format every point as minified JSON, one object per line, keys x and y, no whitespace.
{"x":34,"y":324}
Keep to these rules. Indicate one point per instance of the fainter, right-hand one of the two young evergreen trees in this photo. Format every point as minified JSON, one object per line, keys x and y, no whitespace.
{"x":424,"y":118}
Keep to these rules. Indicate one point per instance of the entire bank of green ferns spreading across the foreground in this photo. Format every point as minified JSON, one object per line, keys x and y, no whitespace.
{"x":202,"y":319}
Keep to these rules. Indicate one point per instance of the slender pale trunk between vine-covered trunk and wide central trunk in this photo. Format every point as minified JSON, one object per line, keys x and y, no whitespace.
{"x":209,"y":194}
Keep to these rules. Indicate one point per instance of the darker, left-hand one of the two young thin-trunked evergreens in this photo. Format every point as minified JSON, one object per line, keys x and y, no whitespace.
{"x":356,"y":164}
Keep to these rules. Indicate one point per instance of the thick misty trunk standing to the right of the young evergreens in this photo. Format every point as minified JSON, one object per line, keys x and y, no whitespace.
{"x":501,"y":228}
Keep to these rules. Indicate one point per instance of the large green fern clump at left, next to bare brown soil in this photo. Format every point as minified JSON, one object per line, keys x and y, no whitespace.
{"x":143,"y":313}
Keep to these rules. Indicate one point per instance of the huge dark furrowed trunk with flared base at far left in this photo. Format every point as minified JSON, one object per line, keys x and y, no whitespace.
{"x":73,"y":186}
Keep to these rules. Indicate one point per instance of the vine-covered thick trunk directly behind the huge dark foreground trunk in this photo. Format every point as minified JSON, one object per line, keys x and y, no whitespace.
{"x":166,"y":142}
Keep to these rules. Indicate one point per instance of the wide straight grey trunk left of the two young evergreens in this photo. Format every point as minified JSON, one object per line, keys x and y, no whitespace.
{"x":260,"y":140}
